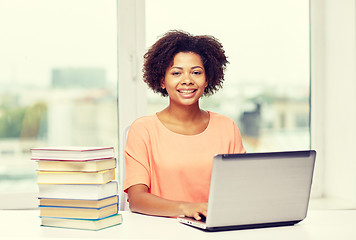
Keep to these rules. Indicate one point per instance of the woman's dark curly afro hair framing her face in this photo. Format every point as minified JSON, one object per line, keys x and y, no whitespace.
{"x":160,"y":56}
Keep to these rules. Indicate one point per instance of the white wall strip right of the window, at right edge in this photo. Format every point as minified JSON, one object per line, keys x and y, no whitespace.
{"x":334,"y":98}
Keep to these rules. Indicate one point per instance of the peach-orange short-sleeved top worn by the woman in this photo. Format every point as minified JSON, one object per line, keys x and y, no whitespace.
{"x":174,"y":166}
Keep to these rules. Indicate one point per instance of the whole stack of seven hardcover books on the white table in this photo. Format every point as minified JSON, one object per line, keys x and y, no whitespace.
{"x":77,"y":187}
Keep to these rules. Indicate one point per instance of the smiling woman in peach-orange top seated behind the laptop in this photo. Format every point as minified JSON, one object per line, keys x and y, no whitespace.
{"x":169,"y":154}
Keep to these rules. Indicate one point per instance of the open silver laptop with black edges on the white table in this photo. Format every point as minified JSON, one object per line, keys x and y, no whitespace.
{"x":257,"y":190}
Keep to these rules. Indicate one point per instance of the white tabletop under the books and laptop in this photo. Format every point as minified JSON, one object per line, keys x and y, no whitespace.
{"x":319,"y":224}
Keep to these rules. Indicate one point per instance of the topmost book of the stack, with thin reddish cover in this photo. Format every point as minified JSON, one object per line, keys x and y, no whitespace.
{"x":72,"y":153}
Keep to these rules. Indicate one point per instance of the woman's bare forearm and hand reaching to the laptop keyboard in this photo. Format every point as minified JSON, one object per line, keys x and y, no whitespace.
{"x":144,"y":202}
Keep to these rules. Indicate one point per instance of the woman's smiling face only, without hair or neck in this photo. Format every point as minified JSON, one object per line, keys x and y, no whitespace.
{"x":185,"y":80}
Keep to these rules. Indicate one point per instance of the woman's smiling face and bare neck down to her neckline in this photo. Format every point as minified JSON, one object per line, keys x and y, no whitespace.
{"x":185,"y":83}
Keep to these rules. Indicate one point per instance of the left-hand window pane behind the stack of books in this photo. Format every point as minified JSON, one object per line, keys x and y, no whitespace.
{"x":58,"y":82}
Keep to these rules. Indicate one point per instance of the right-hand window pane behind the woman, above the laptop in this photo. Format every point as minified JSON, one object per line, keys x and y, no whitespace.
{"x":267,"y":85}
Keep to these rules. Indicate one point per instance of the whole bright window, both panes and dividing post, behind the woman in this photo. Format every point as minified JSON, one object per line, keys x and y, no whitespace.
{"x":58,"y":84}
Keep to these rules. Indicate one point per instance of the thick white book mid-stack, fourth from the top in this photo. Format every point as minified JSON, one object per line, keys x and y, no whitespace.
{"x":78,"y":191}
